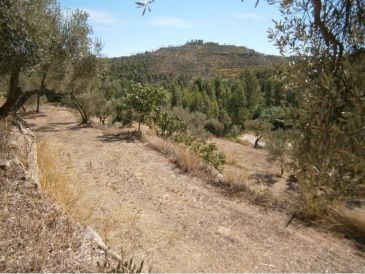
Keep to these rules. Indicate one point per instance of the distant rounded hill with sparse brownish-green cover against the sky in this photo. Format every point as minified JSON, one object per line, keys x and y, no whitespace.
{"x":195,"y":58}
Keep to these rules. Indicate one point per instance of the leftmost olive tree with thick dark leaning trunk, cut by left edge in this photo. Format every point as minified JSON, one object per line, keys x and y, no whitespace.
{"x":25,"y":39}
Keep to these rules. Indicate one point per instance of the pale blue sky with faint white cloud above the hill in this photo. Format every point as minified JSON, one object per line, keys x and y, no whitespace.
{"x":124,"y":31}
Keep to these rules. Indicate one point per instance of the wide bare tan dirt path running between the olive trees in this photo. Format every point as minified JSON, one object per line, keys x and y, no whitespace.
{"x":137,"y":200}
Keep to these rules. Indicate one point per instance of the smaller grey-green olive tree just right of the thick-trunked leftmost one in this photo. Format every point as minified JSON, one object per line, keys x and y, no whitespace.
{"x":78,"y":73}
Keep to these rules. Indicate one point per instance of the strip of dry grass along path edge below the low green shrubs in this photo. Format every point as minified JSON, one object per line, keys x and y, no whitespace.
{"x":182,"y":158}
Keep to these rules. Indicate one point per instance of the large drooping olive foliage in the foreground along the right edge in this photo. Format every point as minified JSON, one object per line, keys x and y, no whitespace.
{"x":327,"y":77}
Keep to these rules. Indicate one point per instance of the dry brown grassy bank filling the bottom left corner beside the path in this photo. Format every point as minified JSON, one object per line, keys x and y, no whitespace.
{"x":35,"y":233}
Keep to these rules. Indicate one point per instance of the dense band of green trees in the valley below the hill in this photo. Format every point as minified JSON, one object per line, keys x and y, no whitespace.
{"x":226,"y":103}
